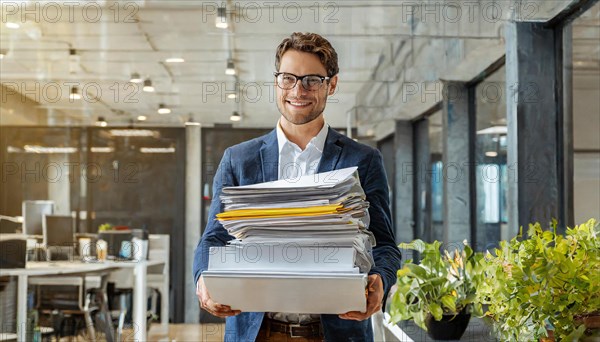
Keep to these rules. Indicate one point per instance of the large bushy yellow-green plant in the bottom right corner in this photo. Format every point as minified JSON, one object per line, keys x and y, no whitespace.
{"x":547,"y":281}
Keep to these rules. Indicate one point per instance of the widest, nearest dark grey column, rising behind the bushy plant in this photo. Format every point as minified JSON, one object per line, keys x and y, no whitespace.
{"x":535,"y":118}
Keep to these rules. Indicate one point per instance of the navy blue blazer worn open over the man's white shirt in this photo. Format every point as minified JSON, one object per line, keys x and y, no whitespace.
{"x":256,"y":161}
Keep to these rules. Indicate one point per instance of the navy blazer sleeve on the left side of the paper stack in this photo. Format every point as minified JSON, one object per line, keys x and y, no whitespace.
{"x":214,"y":234}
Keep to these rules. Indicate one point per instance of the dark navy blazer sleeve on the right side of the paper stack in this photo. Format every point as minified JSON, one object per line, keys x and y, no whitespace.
{"x":386,"y":254}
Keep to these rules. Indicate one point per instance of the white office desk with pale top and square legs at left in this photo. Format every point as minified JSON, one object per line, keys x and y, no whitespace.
{"x":75,"y":267}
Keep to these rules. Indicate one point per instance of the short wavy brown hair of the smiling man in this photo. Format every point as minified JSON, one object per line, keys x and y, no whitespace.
{"x":311,"y":43}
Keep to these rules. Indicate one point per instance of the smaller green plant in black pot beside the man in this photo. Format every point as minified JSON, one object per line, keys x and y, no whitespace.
{"x":439,"y":292}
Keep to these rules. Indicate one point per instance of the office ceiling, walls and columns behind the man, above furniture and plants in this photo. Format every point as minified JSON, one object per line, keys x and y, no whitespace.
{"x":487,"y":113}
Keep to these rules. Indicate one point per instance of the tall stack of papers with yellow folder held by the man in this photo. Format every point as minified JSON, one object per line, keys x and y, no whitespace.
{"x":301,"y":246}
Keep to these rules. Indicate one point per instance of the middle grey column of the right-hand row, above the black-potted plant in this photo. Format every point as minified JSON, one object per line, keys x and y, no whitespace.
{"x":457,"y":154}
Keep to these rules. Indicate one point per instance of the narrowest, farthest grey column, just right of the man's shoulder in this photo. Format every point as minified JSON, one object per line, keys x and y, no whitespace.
{"x":404,"y":221}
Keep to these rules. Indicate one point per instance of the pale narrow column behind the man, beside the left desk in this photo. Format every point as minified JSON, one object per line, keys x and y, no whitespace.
{"x":193,"y":194}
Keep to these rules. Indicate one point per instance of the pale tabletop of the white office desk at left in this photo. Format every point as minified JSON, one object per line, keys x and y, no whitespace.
{"x":39,"y":268}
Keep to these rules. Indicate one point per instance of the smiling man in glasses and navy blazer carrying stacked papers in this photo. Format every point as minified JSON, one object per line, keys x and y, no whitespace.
{"x":302,"y":144}
